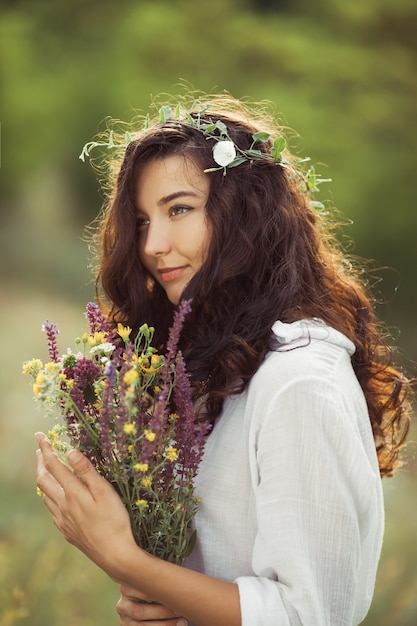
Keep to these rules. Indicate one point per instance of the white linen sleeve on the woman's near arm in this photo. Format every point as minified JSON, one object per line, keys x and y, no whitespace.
{"x":317,"y":510}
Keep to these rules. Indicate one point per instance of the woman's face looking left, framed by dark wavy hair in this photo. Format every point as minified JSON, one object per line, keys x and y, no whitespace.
{"x":171,"y":197}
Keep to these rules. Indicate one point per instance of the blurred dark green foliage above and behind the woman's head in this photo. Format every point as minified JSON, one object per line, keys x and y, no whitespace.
{"x":342,"y":74}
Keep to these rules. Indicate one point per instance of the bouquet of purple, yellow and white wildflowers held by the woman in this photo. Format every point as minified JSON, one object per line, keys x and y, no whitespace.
{"x":115,"y":398}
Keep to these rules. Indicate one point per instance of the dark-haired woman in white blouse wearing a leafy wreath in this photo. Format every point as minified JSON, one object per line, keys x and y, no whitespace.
{"x":287,"y":362}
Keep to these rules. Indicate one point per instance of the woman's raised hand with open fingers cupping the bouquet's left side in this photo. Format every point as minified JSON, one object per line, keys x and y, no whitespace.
{"x":84,"y":506}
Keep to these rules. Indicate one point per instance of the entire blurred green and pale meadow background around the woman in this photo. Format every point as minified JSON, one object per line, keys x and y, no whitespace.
{"x":343,"y":74}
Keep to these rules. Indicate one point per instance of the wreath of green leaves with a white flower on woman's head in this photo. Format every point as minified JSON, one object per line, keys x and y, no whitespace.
{"x":226,"y":154}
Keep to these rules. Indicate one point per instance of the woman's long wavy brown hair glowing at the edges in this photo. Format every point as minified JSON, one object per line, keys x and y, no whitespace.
{"x":271,"y":256}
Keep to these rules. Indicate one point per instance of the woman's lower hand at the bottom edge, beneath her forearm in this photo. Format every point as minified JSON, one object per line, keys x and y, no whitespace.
{"x":136,"y":608}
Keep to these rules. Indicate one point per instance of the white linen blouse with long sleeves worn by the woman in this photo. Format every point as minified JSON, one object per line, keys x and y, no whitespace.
{"x":291,"y":500}
